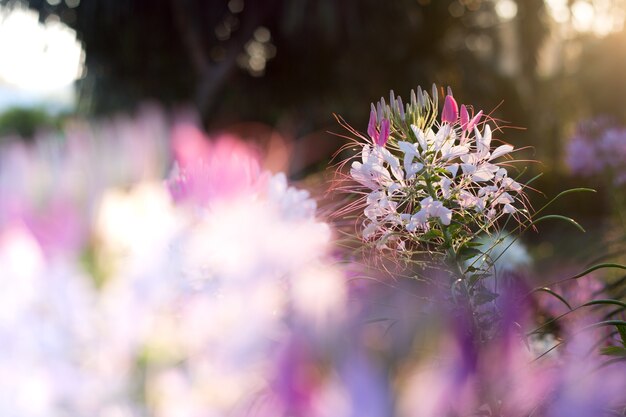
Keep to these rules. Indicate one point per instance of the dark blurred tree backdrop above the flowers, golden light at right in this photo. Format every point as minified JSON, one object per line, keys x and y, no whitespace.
{"x":540,"y":65}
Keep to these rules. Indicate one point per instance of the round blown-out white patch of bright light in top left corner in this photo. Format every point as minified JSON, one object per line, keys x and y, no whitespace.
{"x":36,"y":56}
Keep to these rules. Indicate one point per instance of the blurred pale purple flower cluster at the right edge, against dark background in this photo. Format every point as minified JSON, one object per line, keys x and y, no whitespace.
{"x":598,"y":147}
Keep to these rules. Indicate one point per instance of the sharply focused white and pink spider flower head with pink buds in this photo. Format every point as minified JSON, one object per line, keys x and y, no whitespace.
{"x":432,"y":180}
